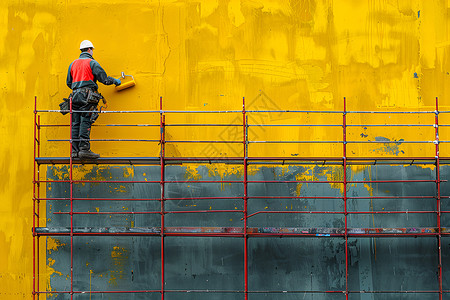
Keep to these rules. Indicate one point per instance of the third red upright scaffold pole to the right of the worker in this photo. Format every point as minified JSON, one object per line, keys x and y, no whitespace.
{"x":344,"y":163}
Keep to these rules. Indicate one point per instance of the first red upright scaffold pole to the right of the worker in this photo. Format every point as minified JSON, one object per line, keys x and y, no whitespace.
{"x":162,"y":153}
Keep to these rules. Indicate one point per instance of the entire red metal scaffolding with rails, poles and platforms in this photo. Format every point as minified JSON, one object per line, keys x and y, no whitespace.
{"x":245,"y":232}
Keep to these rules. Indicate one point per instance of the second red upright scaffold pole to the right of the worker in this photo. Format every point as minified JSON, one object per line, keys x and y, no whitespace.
{"x":245,"y":148}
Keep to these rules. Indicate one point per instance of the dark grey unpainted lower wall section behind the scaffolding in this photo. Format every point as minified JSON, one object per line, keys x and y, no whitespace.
{"x":275,"y":264}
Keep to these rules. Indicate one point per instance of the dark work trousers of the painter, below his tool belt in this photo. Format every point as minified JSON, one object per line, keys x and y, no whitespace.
{"x":81,"y":131}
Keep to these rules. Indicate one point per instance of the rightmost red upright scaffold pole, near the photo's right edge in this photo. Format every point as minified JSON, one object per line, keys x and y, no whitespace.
{"x":438,"y":195}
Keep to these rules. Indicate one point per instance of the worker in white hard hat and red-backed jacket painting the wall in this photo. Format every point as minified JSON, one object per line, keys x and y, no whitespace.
{"x":82,"y":78}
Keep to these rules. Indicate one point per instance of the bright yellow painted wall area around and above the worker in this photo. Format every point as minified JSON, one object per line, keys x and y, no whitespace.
{"x":207,"y":55}
